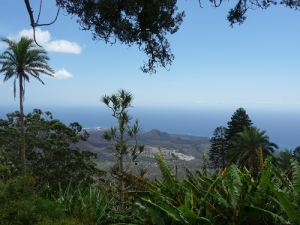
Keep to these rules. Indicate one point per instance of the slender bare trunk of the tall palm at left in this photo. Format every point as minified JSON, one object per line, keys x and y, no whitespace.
{"x":23,"y":157}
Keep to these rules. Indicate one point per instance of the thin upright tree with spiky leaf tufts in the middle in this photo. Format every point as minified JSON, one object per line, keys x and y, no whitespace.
{"x":125,"y":153}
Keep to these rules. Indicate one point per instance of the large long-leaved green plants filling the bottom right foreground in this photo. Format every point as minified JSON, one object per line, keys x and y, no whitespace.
{"x":231,"y":197}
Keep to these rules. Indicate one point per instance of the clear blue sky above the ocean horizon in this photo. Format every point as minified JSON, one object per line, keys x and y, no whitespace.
{"x":255,"y":65}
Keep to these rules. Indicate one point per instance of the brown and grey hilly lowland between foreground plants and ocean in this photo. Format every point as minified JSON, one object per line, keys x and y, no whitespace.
{"x":188,"y":149}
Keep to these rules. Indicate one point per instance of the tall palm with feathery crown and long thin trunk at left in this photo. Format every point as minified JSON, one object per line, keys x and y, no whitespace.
{"x":20,"y":60}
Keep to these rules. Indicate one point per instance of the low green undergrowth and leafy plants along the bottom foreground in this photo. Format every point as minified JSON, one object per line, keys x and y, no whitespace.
{"x":233,"y":196}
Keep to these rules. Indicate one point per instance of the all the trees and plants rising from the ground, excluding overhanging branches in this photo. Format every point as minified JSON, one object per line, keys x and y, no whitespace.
{"x":43,"y":180}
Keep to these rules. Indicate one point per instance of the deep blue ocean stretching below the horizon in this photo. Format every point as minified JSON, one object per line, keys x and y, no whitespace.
{"x":283,"y":127}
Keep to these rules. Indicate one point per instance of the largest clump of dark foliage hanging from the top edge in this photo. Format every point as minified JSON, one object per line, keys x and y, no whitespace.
{"x":145,"y":23}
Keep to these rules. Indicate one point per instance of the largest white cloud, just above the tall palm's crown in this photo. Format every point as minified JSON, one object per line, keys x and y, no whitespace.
{"x":43,"y":38}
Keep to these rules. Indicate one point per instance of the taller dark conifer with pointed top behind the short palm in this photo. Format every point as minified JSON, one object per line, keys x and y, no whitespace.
{"x":239,"y":120}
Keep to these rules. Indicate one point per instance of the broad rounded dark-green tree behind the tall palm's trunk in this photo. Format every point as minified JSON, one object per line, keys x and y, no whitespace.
{"x":49,"y":154}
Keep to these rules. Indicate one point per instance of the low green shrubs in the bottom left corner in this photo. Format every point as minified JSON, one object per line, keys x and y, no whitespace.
{"x":20,"y":204}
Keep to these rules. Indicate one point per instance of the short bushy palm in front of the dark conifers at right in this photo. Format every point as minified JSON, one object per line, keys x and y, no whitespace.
{"x":245,"y":147}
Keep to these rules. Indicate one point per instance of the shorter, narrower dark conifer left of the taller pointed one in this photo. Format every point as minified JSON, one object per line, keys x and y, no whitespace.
{"x":218,"y":149}
